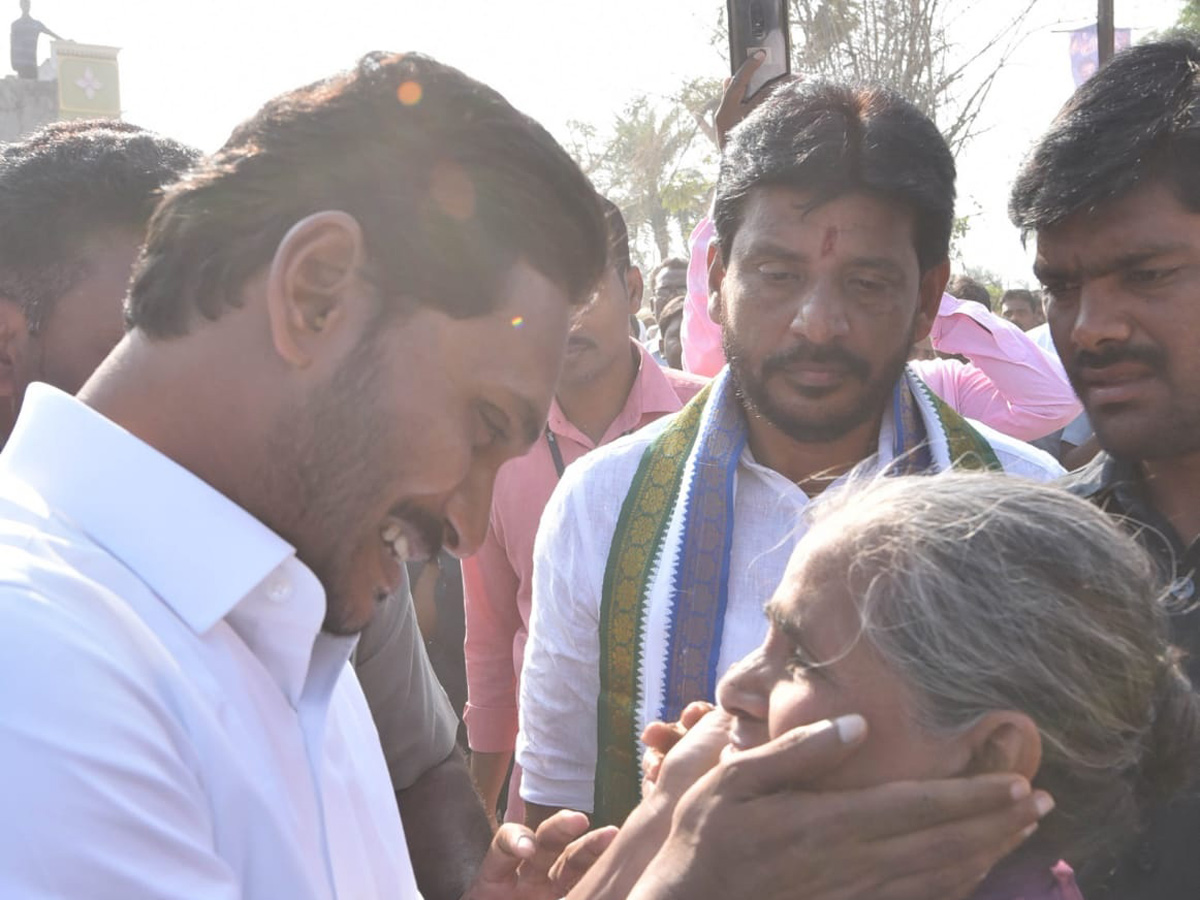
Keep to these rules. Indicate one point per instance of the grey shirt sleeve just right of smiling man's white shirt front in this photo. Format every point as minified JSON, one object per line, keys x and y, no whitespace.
{"x":411,"y":710}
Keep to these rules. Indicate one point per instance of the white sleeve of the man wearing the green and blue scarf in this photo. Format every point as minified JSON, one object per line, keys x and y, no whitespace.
{"x":561,"y":680}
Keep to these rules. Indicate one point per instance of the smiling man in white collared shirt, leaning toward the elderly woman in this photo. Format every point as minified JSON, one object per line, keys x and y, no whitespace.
{"x":341,"y":326}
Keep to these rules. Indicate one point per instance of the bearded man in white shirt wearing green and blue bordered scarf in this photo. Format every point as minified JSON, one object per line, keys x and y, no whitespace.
{"x":656,"y":554}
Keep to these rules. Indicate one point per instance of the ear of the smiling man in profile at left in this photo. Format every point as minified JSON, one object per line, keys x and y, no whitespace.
{"x":315,"y":285}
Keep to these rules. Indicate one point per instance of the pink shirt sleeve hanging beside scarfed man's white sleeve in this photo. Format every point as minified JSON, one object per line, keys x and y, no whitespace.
{"x":494,"y":620}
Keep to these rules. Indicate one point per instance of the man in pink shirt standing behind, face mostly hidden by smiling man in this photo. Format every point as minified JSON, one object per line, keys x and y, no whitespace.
{"x":610,"y":387}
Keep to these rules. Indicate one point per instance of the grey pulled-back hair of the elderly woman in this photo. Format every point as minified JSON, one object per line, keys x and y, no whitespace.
{"x":987,"y":593}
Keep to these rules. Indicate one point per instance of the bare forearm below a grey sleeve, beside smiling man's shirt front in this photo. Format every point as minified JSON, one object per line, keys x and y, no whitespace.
{"x":446,"y":827}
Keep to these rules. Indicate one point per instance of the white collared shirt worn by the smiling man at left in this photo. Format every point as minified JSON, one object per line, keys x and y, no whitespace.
{"x":173,"y":722}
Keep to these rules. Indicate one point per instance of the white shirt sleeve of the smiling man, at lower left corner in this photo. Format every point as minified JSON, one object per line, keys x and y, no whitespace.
{"x":100,"y":784}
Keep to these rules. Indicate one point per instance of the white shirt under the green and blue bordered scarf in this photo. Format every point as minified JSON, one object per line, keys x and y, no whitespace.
{"x":557,"y":742}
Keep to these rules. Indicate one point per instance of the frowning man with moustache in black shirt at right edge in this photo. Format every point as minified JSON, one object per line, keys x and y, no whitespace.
{"x":1113,"y":195}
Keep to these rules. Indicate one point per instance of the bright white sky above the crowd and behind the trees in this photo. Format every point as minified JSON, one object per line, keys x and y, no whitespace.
{"x":194,"y":71}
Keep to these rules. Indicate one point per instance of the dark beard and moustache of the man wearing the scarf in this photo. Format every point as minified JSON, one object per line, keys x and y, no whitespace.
{"x":752,"y":387}
